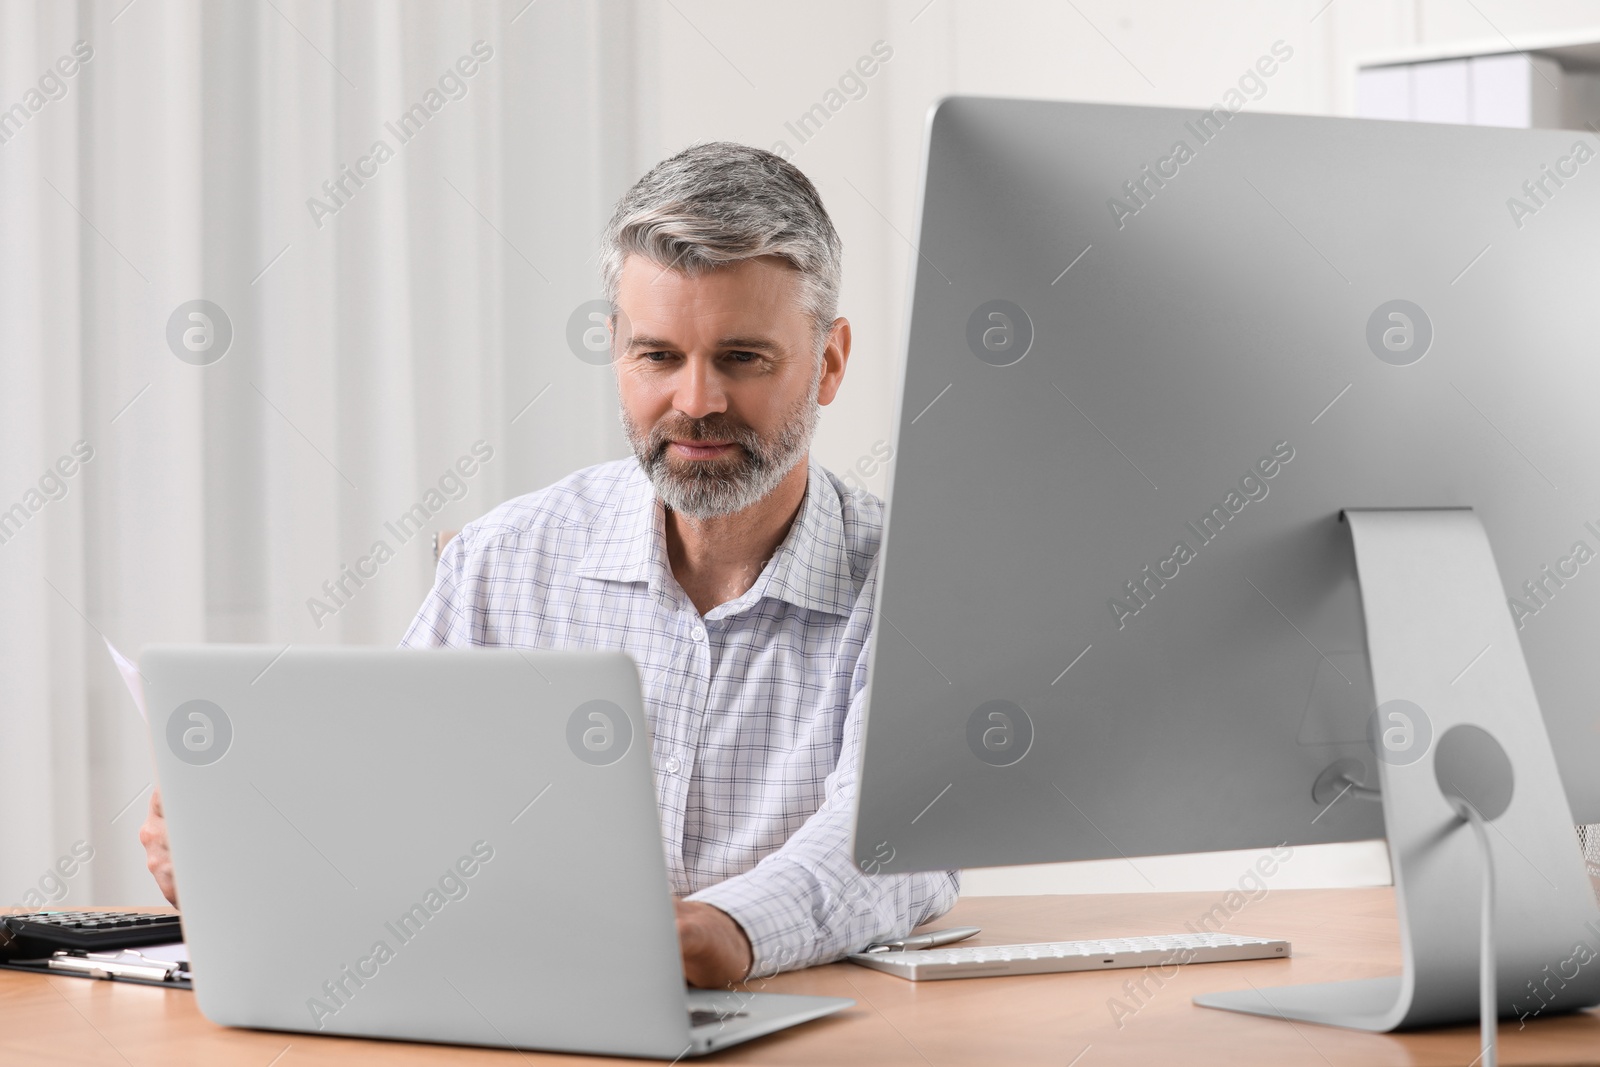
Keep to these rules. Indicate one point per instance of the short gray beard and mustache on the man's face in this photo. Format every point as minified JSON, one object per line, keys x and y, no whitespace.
{"x":724,"y":487}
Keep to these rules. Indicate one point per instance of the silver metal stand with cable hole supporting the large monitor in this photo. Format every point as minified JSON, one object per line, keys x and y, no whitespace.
{"x":1446,"y":655}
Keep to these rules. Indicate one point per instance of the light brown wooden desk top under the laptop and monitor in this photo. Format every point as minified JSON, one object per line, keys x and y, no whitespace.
{"x":1038,"y":1020}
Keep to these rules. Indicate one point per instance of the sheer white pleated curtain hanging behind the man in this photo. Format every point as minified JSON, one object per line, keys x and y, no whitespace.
{"x":382,"y":334}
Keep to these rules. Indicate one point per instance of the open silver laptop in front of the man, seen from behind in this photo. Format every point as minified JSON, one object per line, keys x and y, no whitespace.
{"x":431,"y":845}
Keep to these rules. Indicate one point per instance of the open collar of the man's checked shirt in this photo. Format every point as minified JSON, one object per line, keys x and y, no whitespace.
{"x":809,"y":570}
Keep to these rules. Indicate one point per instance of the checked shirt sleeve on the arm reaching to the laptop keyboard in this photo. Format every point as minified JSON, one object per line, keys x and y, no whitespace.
{"x":809,"y":903}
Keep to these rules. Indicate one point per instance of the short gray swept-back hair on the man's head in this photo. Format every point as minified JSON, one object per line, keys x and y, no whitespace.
{"x":722,"y":202}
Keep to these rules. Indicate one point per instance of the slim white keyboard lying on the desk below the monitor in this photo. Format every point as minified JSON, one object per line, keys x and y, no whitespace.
{"x":1071,"y":956}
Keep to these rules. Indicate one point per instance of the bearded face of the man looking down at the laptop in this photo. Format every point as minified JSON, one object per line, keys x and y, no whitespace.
{"x":719,"y":380}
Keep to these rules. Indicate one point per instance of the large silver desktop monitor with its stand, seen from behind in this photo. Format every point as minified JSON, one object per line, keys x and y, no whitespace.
{"x":1178,"y":553}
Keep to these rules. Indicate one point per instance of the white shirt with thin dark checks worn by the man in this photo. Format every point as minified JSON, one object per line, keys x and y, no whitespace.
{"x":756,"y":708}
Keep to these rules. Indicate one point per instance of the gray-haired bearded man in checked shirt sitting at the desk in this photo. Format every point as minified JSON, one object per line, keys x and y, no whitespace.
{"x":737,"y":573}
